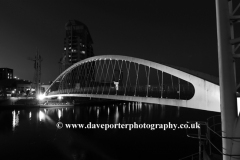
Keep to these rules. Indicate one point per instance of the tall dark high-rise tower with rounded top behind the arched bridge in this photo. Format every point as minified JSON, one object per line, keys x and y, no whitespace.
{"x":77,"y":44}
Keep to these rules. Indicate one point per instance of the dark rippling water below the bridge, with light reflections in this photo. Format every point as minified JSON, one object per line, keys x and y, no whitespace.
{"x":31,"y":133}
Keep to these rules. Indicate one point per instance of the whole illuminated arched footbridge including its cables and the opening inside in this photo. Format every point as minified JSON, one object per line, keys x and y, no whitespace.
{"x":133,"y":79}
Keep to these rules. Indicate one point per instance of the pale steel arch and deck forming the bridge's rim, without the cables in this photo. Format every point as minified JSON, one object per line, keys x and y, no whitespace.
{"x":206,"y":97}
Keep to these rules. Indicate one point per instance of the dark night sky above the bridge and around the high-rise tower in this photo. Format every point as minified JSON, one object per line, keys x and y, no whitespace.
{"x":181,"y":33}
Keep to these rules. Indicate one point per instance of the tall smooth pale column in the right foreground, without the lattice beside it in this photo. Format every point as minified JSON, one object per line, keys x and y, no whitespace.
{"x":228,"y":100}
